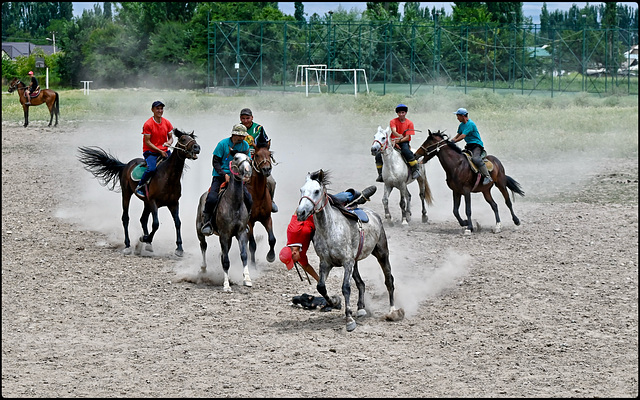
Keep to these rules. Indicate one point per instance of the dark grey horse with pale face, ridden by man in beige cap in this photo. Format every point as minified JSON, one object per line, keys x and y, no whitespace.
{"x":232,"y":218}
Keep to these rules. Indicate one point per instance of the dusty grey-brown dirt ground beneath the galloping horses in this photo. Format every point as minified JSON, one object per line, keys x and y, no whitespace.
{"x":545,"y":309}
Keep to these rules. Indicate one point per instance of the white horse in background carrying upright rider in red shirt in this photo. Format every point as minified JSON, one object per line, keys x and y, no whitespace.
{"x":395,"y":174}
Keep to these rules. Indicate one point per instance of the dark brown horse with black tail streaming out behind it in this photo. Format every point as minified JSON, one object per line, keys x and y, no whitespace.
{"x":163,"y":188}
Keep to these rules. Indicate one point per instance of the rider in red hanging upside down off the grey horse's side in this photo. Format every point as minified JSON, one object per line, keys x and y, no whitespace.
{"x":300,"y":233}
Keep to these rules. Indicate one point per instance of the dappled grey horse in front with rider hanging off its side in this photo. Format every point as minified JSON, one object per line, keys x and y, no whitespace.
{"x":342,"y":242}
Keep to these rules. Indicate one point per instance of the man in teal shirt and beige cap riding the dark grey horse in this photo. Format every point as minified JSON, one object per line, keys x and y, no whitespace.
{"x":221,"y":173}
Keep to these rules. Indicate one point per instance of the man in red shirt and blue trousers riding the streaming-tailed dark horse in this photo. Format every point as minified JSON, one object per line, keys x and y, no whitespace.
{"x":158,"y":136}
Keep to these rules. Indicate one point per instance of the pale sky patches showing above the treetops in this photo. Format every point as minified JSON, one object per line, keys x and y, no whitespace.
{"x":530,"y":9}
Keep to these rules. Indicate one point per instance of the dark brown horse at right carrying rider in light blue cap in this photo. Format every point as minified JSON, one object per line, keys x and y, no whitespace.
{"x":463,"y":181}
